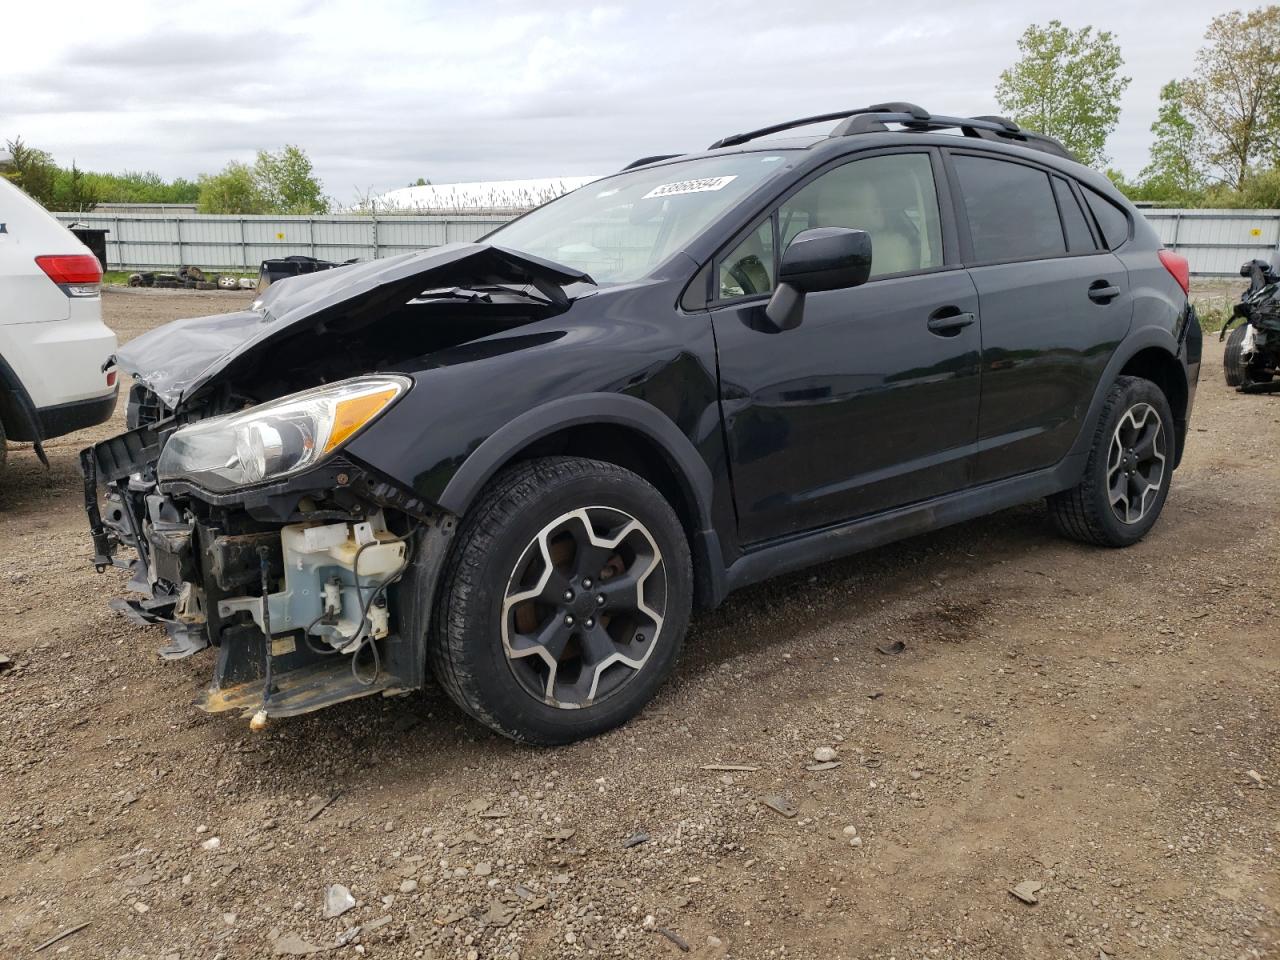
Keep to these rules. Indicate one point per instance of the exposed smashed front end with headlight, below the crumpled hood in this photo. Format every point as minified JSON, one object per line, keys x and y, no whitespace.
{"x":253,"y":533}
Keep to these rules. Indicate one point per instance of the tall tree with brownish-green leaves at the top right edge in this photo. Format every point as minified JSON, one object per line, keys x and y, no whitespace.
{"x":1235,"y":95}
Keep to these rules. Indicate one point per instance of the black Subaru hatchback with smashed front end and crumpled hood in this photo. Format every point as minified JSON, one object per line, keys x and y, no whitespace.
{"x":524,"y":460}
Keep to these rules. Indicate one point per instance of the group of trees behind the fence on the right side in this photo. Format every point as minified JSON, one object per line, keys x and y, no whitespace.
{"x":1215,"y":138}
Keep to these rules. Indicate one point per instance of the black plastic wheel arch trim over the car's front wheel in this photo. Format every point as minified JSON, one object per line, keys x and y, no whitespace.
{"x":595,"y":409}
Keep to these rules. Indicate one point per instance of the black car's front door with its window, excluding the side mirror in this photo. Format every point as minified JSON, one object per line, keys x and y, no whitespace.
{"x":872,"y":403}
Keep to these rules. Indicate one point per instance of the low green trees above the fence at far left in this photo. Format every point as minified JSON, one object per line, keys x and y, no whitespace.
{"x":284,"y":182}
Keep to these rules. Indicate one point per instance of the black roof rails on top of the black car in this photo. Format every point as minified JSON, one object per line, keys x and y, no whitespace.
{"x":875,"y":120}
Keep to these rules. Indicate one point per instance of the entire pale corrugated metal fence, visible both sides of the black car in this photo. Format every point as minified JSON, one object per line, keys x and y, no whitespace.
{"x":1215,"y":241}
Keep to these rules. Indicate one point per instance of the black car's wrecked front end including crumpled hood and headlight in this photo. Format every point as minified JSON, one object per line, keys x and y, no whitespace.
{"x":235,"y":502}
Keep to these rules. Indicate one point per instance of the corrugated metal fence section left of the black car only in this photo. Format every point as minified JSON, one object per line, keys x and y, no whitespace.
{"x":164,"y":241}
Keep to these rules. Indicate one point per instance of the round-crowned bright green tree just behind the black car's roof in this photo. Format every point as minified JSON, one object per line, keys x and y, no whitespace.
{"x":1067,"y":84}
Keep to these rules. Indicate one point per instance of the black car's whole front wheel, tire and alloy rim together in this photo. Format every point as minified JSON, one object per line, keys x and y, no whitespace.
{"x":520,"y":638}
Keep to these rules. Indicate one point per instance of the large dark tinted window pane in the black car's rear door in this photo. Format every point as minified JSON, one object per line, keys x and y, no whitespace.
{"x":1012,"y":211}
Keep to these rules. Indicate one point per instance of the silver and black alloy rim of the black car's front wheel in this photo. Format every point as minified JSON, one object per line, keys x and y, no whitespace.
{"x":584,"y":607}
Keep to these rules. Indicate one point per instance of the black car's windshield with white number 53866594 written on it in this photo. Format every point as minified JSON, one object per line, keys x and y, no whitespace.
{"x":620,"y":228}
